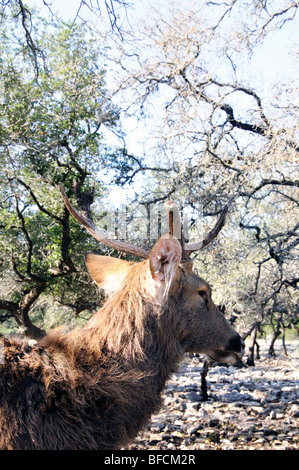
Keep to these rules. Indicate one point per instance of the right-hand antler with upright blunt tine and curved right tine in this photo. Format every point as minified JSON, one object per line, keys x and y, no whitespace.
{"x":175,"y":230}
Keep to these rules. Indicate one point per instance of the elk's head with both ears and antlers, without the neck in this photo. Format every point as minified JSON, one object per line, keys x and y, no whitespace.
{"x":199,"y":325}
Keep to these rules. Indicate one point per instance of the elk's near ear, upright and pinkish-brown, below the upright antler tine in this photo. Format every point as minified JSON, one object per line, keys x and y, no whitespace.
{"x":164,"y":258}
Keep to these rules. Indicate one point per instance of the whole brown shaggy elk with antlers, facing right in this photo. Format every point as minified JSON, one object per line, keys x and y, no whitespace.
{"x":96,"y":387}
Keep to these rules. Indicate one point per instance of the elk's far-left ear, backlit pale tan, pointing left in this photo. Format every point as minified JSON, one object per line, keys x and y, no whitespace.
{"x":106,"y":271}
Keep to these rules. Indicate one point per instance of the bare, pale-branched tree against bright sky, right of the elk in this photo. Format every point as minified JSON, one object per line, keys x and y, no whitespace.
{"x":211,"y":136}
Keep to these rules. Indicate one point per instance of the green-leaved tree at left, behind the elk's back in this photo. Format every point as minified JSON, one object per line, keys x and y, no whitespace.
{"x":51,"y":132}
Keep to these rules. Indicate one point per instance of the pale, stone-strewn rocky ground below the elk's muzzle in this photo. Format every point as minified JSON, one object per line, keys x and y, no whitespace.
{"x":248,"y":408}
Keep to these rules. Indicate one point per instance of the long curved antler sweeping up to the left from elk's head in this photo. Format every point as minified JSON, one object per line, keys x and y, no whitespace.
{"x":101,"y":235}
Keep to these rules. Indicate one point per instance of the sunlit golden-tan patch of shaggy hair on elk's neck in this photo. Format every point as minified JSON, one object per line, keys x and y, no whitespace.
{"x":121,"y":326}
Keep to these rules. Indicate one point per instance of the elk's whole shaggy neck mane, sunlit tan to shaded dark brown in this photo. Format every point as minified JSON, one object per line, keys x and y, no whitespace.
{"x":126,"y":337}
